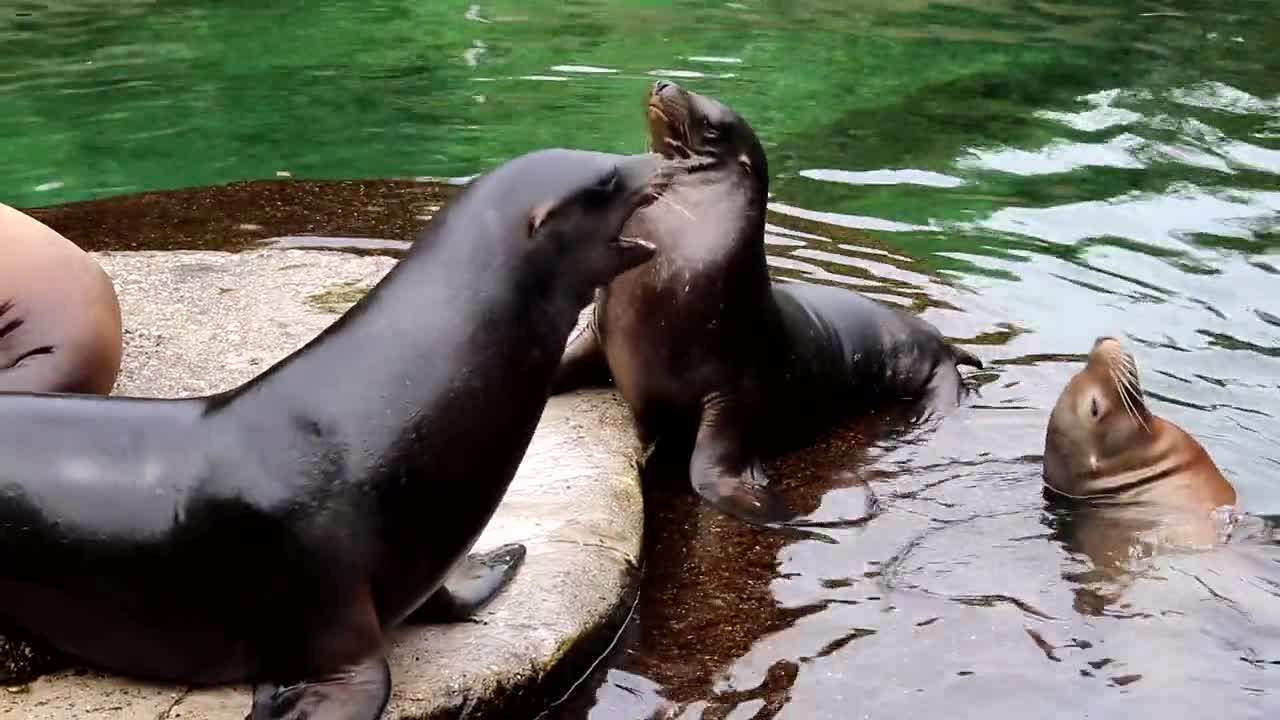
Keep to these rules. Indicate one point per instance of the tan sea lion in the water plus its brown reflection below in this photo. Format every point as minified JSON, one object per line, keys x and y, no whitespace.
{"x":1131,"y":485}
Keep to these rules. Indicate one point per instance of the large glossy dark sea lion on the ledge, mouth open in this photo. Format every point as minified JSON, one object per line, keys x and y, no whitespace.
{"x":275,"y":532}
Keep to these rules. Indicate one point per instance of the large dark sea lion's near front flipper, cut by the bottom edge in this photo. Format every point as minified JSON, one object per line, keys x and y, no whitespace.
{"x":355,"y":692}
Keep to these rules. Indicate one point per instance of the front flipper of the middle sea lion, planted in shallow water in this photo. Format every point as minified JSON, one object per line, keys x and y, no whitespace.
{"x":728,"y":476}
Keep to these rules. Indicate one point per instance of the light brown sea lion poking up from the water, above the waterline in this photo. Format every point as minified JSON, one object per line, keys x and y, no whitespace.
{"x":1105,"y":446}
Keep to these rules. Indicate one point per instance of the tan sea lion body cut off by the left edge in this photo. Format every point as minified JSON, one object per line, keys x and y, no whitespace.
{"x":60,"y":317}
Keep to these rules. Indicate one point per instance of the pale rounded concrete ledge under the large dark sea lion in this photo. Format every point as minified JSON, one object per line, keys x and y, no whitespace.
{"x":203,"y":322}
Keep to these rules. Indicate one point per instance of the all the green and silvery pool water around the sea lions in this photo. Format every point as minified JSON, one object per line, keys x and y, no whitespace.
{"x":1028,"y":175}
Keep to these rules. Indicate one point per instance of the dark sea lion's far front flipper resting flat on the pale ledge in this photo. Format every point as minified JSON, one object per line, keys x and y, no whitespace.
{"x":470,"y":586}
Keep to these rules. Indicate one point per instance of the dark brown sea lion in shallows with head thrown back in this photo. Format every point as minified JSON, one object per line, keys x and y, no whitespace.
{"x":712,"y":357}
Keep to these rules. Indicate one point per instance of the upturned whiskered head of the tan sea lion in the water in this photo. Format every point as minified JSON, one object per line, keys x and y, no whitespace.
{"x":1099,"y":418}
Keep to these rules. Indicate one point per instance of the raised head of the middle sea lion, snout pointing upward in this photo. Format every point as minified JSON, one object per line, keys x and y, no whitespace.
{"x":684,"y":125}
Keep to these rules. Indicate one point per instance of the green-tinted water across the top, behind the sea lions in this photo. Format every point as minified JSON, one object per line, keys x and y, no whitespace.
{"x":121,"y":97}
